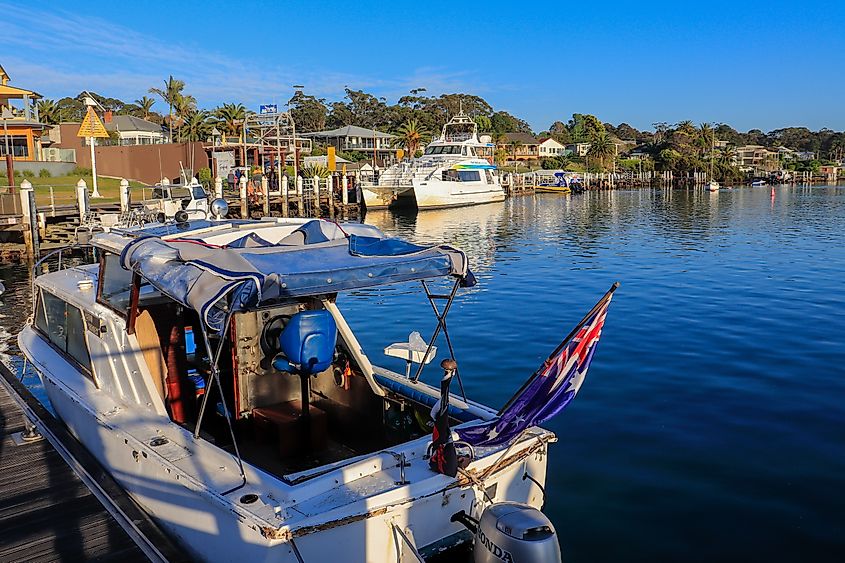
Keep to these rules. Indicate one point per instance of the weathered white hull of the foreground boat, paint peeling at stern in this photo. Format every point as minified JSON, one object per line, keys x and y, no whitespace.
{"x":207,"y":525}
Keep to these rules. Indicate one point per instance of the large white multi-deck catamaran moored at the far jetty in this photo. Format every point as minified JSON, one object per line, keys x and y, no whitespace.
{"x":452,"y":172}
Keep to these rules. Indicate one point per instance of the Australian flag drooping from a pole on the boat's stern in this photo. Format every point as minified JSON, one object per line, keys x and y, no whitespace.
{"x":551,"y":388}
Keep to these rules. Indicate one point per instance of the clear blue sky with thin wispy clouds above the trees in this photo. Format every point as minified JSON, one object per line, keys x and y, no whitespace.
{"x":749,"y":64}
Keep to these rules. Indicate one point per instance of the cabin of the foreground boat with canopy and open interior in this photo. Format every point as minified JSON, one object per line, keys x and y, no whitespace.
{"x":231,"y":329}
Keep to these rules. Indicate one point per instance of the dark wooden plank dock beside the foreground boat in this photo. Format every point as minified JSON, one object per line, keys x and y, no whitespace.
{"x":56,"y":502}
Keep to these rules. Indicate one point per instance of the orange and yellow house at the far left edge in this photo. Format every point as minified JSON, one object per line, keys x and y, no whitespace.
{"x":21,"y":128}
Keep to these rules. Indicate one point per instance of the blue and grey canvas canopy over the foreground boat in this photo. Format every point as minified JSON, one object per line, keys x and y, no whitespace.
{"x":252,"y":272}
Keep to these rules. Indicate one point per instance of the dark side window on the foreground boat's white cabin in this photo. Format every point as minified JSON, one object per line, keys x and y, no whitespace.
{"x":63,"y":326}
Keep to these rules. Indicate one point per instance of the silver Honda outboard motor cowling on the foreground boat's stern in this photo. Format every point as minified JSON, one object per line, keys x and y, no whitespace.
{"x":514,"y":532}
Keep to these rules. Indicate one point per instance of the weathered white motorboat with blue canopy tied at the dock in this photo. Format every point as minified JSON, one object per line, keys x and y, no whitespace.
{"x":208,"y":367}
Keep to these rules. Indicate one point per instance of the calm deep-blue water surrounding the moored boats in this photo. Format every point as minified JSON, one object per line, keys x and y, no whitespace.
{"x":712,"y":424}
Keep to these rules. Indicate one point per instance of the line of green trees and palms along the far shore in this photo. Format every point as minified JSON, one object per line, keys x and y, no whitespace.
{"x":416,"y":117}
